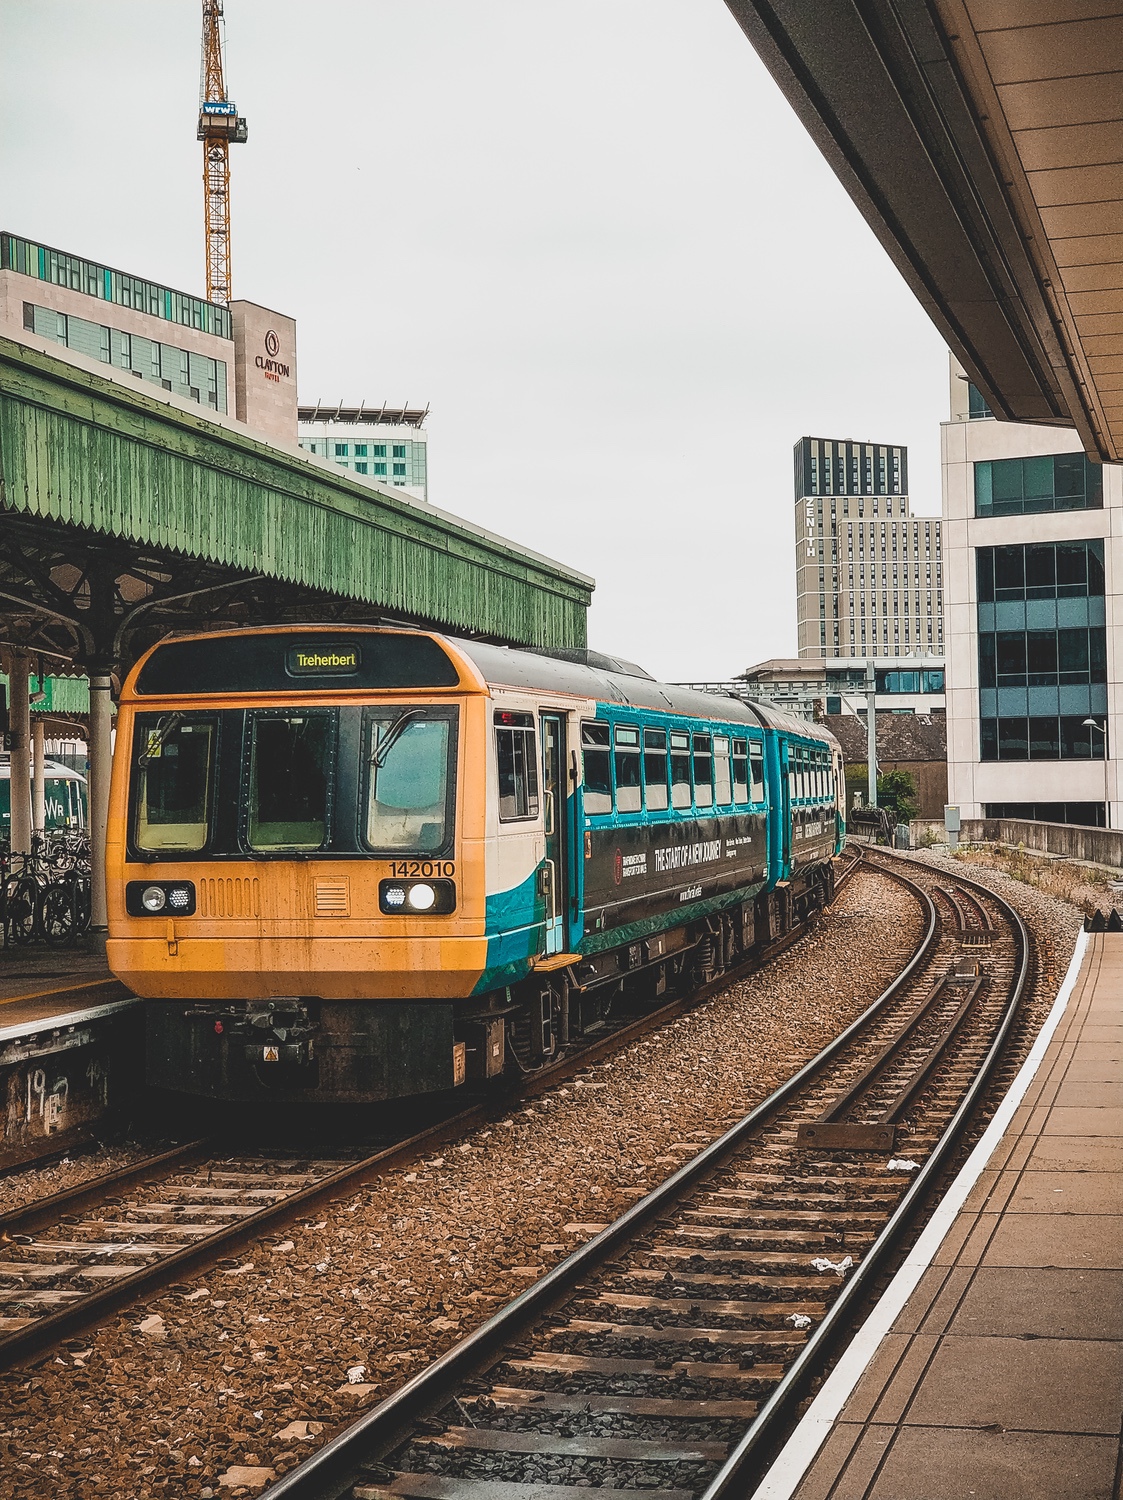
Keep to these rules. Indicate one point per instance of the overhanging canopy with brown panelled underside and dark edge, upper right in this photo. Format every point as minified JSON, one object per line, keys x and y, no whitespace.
{"x":983,"y":140}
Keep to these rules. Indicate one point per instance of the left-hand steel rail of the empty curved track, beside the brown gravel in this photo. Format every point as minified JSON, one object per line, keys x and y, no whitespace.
{"x":329,"y":1474}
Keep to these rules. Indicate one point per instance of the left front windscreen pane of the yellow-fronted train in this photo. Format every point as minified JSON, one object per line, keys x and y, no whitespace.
{"x":173,"y":782}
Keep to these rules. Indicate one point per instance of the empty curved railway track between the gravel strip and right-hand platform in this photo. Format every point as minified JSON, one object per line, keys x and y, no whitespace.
{"x":669,"y":1354}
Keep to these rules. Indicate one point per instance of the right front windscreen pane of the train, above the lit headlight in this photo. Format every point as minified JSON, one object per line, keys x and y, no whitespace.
{"x":410,"y":758}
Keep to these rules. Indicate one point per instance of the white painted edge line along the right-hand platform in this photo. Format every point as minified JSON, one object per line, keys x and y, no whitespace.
{"x":795,"y":1459}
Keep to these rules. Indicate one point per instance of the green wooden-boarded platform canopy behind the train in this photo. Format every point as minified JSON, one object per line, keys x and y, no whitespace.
{"x":124,"y":518}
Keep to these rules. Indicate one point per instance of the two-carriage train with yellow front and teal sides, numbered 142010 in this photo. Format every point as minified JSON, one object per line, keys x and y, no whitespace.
{"x":361,"y":865}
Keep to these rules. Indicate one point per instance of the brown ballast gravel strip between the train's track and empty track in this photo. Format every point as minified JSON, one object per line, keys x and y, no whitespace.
{"x":235,"y":1378}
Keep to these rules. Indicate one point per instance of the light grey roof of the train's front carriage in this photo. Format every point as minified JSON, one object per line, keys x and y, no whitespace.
{"x":548,"y":674}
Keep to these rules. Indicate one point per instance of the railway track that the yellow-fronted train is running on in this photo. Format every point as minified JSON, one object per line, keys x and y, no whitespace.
{"x":77,"y":1256}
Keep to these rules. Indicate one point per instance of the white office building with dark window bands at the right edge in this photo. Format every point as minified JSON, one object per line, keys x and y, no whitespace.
{"x":1034,"y":610}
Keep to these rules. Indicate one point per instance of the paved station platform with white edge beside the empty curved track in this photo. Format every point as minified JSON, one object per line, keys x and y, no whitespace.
{"x":993,"y":1366}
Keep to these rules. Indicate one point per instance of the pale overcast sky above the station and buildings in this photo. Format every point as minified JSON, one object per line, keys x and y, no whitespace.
{"x":593,"y":238}
